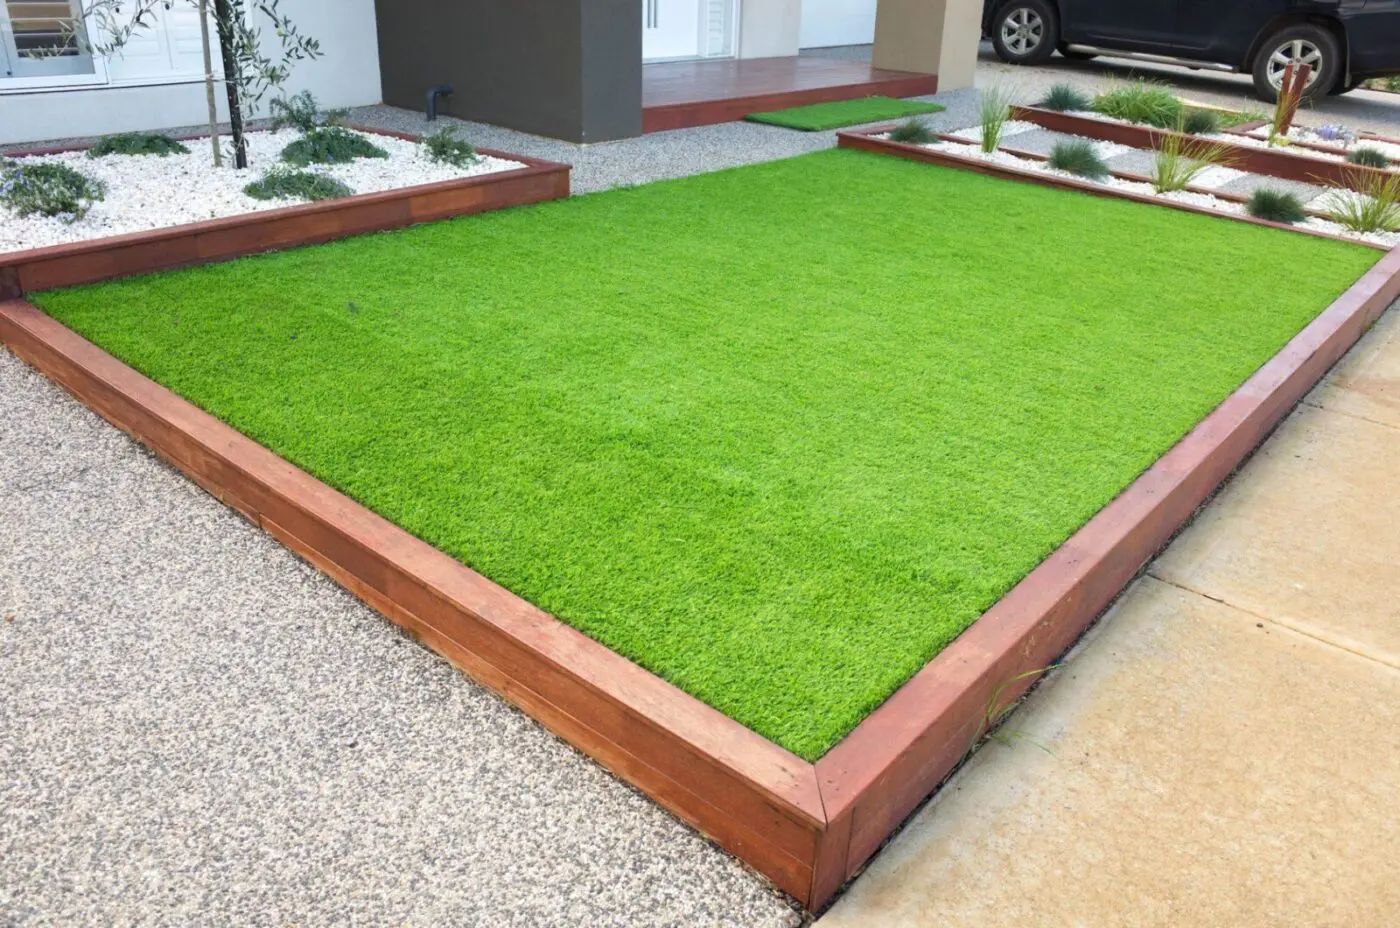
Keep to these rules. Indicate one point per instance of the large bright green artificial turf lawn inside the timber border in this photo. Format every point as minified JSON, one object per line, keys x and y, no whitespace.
{"x":778,"y":433}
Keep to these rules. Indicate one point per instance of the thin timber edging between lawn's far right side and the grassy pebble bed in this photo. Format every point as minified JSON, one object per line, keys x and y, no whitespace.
{"x":870,"y":141}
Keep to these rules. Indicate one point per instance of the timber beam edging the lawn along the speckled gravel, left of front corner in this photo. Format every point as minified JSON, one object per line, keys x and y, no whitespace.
{"x":748,"y":794}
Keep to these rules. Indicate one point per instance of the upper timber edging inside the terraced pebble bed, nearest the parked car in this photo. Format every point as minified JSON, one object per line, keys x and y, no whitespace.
{"x":1269,"y":162}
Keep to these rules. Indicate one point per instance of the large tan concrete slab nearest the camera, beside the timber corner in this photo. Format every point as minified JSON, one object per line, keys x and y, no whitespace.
{"x":1200,"y":768}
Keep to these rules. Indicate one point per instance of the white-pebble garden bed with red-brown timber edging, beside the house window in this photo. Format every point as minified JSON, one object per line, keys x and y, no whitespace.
{"x":180,"y":211}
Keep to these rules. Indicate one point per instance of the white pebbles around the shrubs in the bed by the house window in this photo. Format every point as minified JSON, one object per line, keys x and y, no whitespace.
{"x":148,"y":192}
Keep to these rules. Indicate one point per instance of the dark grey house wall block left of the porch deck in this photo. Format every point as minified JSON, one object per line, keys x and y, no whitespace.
{"x":569,"y":69}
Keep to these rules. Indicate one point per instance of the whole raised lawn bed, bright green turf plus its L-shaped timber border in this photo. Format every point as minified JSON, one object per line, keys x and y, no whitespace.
{"x":743,"y":489}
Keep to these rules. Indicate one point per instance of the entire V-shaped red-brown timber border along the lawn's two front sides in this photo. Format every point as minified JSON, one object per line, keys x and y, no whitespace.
{"x":808,"y":828}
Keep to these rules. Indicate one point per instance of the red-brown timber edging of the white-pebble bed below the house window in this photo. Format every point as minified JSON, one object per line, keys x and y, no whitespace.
{"x":272,"y":230}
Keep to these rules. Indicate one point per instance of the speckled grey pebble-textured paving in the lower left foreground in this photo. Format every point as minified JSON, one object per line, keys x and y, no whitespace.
{"x":199,"y":730}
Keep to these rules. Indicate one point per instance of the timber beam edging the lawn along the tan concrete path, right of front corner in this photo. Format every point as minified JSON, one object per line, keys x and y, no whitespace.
{"x":899,"y":755}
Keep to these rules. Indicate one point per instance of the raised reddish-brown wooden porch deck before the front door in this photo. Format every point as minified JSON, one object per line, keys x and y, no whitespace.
{"x":684,"y":94}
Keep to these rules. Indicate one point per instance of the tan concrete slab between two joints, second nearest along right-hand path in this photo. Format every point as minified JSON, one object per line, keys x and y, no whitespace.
{"x":1308,"y":535}
